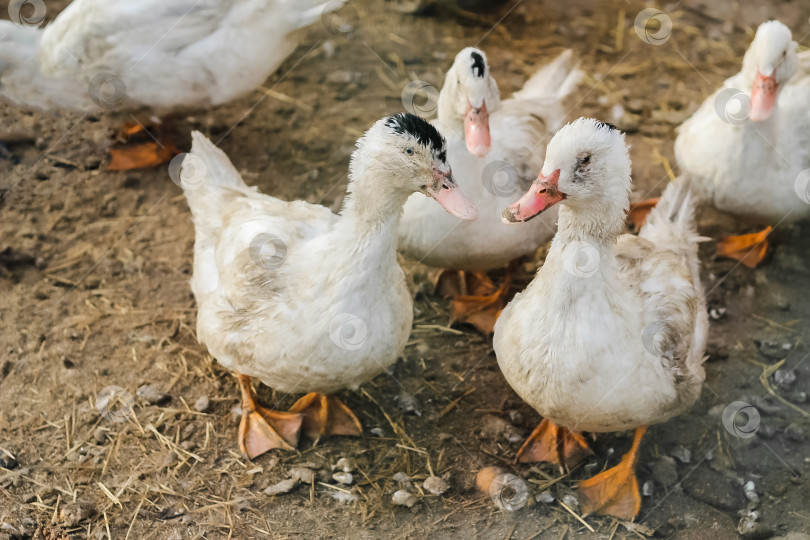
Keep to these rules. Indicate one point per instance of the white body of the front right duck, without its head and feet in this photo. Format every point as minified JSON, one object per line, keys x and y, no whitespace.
{"x":610,"y":334}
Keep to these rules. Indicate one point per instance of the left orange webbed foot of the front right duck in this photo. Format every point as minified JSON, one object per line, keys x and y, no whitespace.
{"x":553,"y":444}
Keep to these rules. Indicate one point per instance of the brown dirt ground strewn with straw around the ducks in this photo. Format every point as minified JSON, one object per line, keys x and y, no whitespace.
{"x":94,"y":293}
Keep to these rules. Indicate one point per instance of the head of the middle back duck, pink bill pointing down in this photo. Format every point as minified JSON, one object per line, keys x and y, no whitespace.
{"x":469,"y":95}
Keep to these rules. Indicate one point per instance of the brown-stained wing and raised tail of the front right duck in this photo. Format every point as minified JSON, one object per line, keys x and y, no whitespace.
{"x":662,"y":265}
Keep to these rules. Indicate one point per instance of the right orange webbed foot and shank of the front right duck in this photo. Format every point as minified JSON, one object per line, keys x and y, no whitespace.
{"x":615,"y":491}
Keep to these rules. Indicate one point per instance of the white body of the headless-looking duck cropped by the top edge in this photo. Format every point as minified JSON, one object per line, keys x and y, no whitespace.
{"x":160,"y":55}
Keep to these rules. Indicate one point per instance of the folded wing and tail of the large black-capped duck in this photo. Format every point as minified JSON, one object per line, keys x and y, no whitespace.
{"x":247,"y":245}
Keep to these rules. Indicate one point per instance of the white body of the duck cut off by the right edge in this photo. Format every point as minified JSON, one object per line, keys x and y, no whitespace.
{"x":745,"y":168}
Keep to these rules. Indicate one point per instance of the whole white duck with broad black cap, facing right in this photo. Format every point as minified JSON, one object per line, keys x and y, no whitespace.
{"x":301,"y":298}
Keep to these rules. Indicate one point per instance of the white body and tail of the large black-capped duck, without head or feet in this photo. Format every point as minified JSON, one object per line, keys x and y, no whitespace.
{"x":286,"y":291}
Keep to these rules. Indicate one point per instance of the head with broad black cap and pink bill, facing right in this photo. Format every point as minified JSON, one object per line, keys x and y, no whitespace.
{"x":406,"y":154}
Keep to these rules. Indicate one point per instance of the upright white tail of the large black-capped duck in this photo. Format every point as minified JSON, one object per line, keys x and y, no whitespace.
{"x":203,"y":168}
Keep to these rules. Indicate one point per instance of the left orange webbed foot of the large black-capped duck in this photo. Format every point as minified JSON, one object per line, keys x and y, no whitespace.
{"x":262,"y":429}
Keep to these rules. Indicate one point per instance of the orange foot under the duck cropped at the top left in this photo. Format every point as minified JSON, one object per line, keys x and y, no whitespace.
{"x":144,"y":146}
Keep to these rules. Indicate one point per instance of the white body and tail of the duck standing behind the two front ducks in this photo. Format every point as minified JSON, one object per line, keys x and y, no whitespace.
{"x":520,"y":128}
